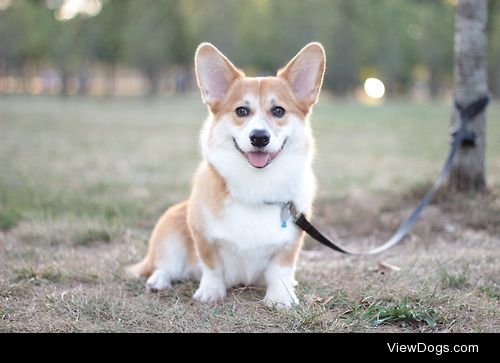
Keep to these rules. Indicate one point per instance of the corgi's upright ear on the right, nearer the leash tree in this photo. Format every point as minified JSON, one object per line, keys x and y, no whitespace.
{"x":305,"y":73}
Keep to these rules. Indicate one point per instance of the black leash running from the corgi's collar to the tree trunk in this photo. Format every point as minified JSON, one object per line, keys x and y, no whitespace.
{"x":462,"y":136}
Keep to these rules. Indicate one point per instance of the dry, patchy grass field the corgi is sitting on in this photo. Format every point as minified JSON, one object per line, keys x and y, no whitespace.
{"x":82,"y":182}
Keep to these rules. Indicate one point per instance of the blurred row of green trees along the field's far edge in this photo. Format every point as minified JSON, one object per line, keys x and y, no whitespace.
{"x":132,"y":46}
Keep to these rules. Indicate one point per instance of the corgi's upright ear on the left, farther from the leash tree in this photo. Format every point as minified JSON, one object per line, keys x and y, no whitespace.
{"x":214,"y":73}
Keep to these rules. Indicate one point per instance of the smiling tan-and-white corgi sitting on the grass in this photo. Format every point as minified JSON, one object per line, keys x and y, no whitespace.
{"x":257,"y":150}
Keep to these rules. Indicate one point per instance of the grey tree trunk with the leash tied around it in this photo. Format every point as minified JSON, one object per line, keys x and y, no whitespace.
{"x":470,"y":83}
